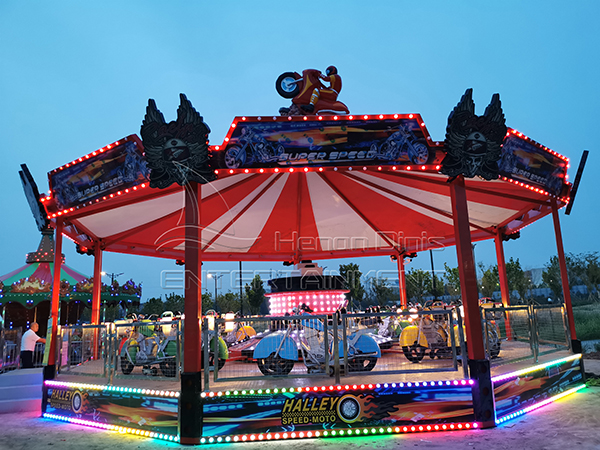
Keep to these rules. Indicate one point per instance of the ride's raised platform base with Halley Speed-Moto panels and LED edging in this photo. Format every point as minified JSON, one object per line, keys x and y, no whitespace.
{"x":299,"y":407}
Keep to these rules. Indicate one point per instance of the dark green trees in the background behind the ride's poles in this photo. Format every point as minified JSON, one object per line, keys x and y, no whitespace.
{"x":583,"y":270}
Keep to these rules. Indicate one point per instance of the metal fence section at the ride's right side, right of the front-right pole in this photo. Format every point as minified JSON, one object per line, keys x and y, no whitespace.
{"x":516,"y":333}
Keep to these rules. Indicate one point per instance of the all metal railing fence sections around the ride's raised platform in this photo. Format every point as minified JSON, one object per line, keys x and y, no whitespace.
{"x":304,"y":346}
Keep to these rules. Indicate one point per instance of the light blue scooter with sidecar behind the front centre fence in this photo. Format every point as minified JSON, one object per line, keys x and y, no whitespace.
{"x":277,"y":353}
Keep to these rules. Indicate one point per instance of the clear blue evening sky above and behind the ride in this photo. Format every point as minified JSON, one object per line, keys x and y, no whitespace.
{"x":76,"y":76}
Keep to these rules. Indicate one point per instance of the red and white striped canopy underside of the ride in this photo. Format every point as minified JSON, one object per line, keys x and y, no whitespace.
{"x":313,"y":213}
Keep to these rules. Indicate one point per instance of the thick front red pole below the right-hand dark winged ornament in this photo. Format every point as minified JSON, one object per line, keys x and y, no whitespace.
{"x":466,"y":268}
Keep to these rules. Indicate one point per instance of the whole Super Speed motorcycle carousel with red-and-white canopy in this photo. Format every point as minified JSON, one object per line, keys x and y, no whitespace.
{"x":313,"y":184}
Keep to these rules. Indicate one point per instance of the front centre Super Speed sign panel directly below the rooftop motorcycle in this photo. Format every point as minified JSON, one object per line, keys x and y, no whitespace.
{"x":326,"y":142}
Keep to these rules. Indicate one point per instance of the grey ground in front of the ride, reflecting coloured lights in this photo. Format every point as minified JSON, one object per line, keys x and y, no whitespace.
{"x":570,"y":423}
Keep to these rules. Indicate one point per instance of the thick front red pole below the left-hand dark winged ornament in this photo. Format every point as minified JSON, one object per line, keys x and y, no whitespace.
{"x":193,"y":281}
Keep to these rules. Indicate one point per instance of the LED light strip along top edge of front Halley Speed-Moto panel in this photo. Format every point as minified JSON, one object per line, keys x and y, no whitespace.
{"x":339,"y":387}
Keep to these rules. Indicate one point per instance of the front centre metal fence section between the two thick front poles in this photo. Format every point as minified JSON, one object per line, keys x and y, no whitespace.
{"x":342,"y":345}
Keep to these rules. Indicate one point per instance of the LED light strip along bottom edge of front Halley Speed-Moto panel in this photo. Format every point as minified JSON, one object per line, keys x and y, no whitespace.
{"x":339,"y":433}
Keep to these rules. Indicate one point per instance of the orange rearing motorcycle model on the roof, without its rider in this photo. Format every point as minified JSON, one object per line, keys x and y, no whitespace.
{"x":299,"y":88}
